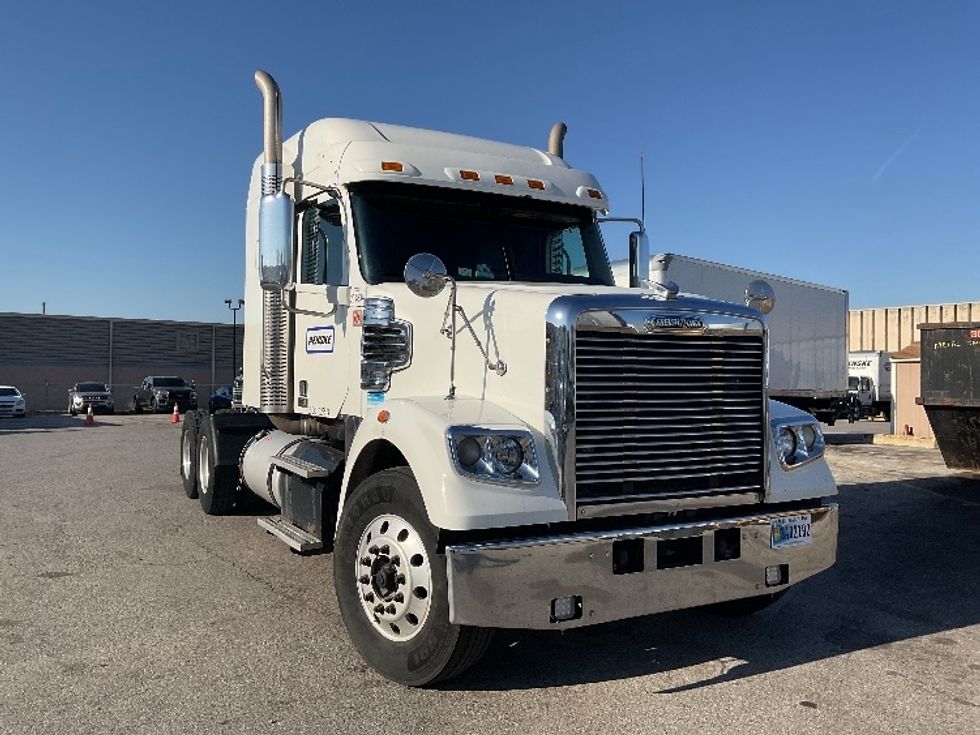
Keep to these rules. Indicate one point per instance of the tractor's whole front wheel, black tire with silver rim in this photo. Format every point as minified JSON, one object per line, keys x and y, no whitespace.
{"x":391,"y":585}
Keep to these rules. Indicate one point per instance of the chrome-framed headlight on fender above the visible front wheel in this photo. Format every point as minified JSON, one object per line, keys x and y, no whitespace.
{"x":501,"y":455}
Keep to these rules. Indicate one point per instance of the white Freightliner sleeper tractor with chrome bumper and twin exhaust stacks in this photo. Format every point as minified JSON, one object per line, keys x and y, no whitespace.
{"x":443,"y":386}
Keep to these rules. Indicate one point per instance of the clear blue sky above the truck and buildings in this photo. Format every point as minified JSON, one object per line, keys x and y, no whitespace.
{"x":835,"y":142}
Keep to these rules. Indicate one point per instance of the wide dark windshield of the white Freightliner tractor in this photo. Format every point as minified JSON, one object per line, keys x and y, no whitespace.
{"x":479,"y":236}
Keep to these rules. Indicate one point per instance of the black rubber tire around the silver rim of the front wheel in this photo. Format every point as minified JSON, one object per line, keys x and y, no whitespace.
{"x":438,"y":650}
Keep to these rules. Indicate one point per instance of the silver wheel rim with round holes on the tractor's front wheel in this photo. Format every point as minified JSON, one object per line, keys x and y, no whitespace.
{"x":393,"y":577}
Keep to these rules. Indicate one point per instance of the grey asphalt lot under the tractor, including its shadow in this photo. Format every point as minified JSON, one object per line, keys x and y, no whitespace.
{"x":124,"y":609}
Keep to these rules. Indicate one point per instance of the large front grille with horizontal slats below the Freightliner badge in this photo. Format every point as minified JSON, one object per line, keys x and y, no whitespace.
{"x":667,"y":414}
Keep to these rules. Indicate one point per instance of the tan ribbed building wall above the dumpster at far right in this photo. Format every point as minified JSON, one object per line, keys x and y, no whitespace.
{"x":893,"y":327}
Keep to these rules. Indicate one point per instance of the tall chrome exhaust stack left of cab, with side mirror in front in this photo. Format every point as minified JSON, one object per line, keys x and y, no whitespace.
{"x":276,"y":215}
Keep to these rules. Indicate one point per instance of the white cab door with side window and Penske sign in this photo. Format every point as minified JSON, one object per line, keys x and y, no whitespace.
{"x":322,"y":343}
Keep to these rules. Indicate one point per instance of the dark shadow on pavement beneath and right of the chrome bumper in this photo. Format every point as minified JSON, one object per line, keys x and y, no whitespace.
{"x":906,"y":568}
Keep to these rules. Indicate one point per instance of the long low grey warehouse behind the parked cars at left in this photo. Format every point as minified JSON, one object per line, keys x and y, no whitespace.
{"x":44,"y":355}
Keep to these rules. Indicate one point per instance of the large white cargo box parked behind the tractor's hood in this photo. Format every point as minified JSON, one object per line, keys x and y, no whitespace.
{"x":807,"y":327}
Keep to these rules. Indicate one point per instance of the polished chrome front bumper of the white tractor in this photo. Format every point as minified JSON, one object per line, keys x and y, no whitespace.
{"x":512,"y":584}
